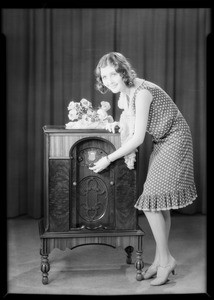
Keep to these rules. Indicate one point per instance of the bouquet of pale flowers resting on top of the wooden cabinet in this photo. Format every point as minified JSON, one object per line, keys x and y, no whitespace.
{"x":83,"y":116}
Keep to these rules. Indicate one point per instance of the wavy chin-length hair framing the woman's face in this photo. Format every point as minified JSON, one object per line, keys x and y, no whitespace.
{"x":121,"y":65}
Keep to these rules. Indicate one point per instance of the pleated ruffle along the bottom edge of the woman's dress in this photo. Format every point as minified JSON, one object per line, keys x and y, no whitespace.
{"x":172,"y":200}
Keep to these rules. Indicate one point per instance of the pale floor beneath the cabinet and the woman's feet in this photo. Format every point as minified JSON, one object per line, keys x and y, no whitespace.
{"x":102,"y":270}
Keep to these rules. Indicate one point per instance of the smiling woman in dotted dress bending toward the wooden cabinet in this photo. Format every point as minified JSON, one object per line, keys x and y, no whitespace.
{"x":170,"y":179}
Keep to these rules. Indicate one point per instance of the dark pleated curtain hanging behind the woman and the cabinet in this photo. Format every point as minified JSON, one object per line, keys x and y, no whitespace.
{"x":51,"y":55}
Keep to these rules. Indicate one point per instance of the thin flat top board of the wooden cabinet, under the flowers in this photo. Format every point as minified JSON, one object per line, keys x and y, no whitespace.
{"x":62,"y":129}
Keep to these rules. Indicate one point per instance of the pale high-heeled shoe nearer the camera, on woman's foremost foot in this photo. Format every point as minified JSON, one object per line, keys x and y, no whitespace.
{"x":163,"y":273}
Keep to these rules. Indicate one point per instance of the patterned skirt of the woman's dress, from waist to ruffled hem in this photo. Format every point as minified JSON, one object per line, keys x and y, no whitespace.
{"x":170,"y":179}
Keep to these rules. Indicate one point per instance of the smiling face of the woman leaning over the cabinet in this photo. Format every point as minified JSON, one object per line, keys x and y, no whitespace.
{"x":112,"y":80}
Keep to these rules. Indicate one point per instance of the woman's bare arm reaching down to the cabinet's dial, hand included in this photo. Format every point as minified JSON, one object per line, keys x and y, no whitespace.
{"x":142,"y":105}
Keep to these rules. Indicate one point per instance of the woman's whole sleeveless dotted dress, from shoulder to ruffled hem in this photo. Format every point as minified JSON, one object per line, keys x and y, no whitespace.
{"x":170,"y":178}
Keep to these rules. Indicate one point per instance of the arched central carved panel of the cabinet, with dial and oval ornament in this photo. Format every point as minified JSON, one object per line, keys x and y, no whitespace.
{"x":92,"y":195}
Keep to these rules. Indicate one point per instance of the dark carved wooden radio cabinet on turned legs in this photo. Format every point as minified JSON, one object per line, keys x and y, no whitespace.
{"x":82,"y":207}
